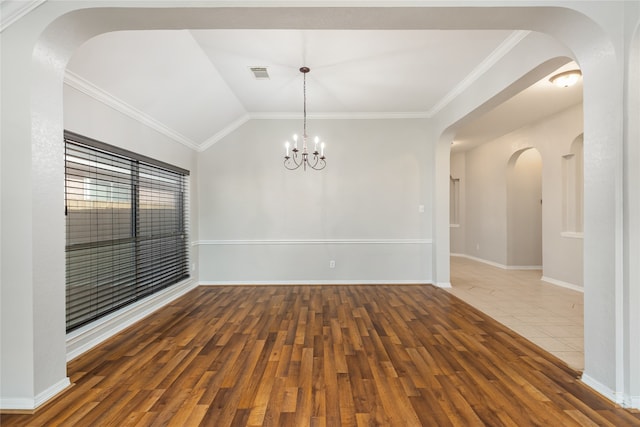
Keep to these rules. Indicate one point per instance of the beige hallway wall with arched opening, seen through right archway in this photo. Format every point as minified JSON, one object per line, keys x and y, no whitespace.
{"x":484,"y":232}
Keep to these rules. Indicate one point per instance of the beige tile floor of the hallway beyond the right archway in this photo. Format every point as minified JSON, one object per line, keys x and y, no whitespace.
{"x":546,"y":314}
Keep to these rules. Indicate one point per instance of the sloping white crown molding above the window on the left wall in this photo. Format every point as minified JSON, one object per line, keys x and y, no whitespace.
{"x":79,"y":83}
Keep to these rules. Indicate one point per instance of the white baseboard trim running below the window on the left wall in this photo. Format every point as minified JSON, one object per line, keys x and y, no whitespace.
{"x":87,"y":337}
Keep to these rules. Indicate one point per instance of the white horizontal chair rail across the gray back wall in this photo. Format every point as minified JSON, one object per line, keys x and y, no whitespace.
{"x":315,"y":242}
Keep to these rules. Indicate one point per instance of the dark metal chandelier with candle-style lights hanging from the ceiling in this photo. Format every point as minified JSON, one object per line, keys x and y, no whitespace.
{"x":315,"y":160}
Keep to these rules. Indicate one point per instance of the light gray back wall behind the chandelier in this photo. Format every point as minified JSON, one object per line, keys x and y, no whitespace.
{"x":262,"y":223}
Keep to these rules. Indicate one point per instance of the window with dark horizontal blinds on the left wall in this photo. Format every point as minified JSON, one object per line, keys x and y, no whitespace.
{"x":126,"y":228}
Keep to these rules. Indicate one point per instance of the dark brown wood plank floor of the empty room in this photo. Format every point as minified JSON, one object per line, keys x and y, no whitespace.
{"x":322,"y":356}
